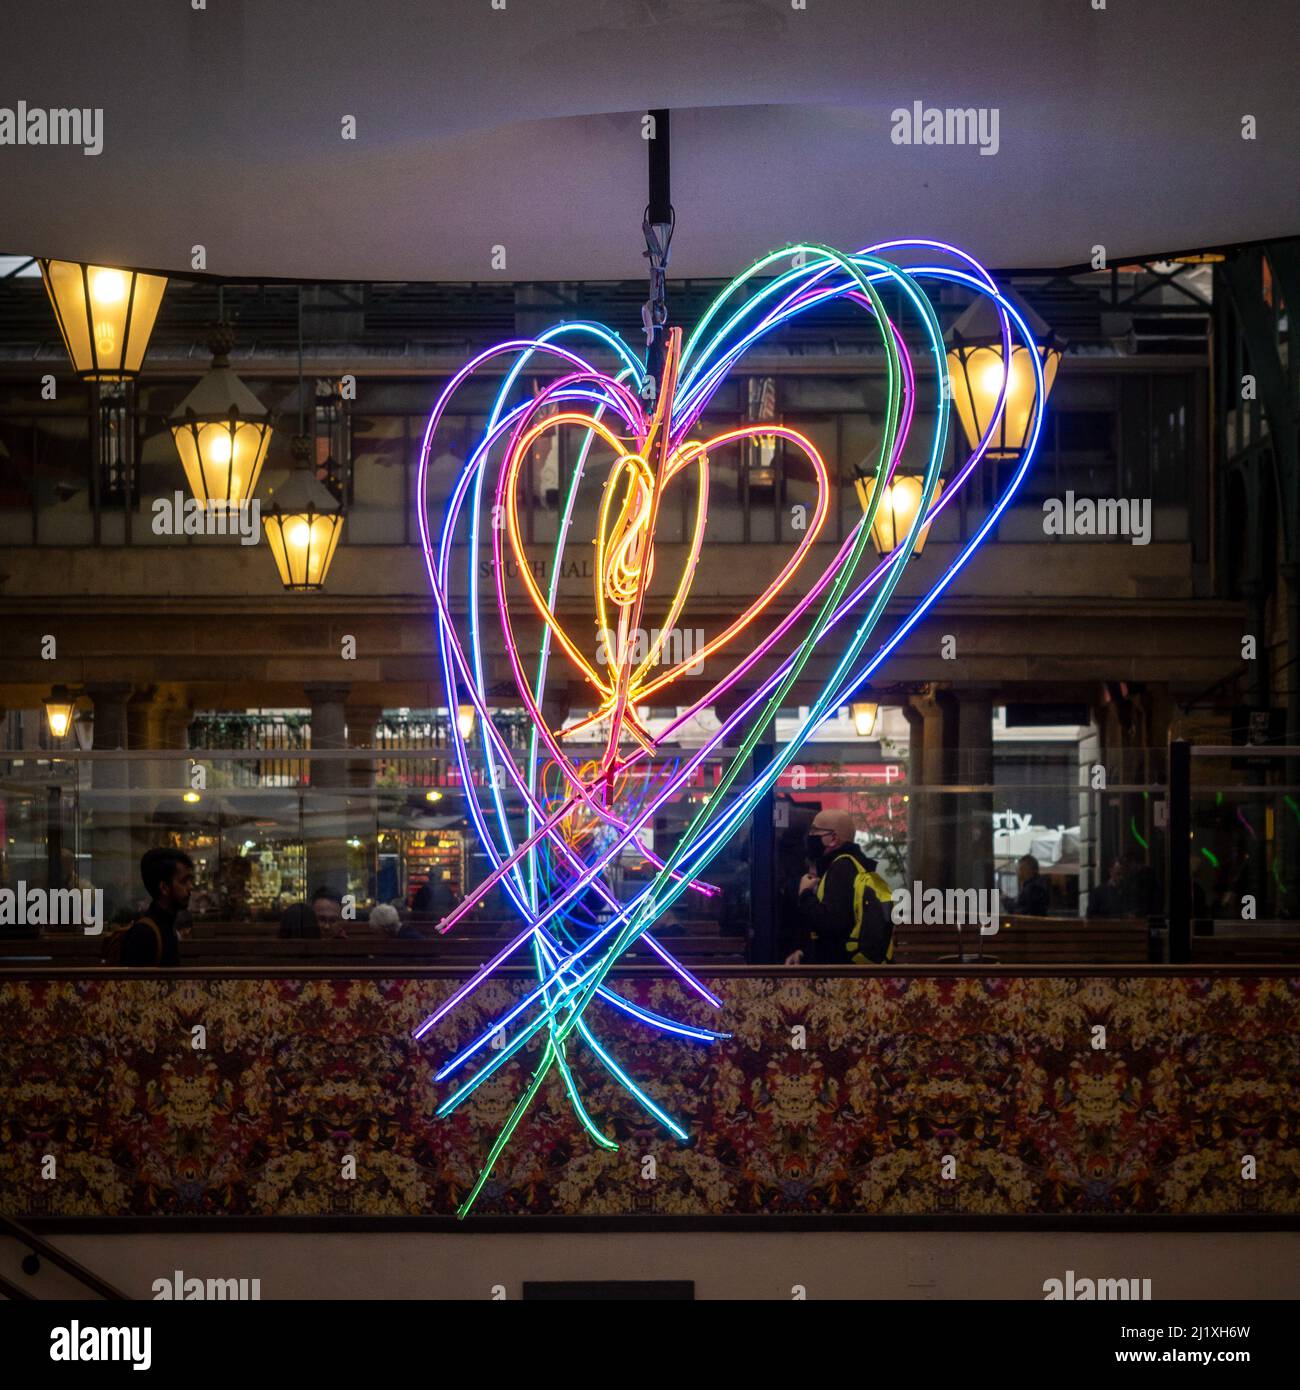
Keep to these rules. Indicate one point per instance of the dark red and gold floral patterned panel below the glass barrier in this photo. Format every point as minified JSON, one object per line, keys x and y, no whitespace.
{"x":998,"y":1096}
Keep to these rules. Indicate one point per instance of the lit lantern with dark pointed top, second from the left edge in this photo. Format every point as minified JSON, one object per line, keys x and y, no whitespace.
{"x":222,"y":432}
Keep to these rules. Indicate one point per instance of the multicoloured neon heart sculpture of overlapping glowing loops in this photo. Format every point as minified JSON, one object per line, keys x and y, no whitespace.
{"x":582,"y":818}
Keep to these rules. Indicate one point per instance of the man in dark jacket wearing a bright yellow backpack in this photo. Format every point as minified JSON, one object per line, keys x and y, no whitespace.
{"x":845,"y":904}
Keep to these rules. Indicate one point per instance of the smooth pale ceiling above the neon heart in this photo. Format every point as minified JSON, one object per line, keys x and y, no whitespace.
{"x":521,"y":129}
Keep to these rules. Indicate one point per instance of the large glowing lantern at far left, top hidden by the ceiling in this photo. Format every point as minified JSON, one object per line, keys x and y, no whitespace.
{"x":105,"y":316}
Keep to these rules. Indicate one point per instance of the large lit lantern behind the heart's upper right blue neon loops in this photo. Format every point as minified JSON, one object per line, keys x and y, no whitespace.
{"x":977,"y":369}
